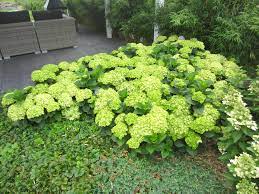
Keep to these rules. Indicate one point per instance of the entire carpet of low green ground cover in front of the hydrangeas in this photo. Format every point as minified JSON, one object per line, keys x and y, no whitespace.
{"x":77,"y":156}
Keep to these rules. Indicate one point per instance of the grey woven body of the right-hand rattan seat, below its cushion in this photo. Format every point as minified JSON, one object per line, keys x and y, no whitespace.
{"x":56,"y":33}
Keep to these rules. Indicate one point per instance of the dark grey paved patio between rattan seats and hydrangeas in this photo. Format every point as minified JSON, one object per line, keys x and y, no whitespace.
{"x":16,"y":72}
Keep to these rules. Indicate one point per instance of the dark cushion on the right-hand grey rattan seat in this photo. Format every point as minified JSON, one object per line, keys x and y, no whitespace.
{"x":47,"y":15}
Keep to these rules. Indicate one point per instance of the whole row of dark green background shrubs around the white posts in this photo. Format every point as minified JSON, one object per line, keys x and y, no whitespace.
{"x":226,"y":27}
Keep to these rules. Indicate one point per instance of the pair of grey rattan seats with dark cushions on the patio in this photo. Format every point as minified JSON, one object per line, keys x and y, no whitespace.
{"x":48,"y":30}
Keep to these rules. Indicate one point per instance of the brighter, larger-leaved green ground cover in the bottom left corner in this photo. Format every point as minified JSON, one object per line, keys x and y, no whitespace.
{"x":56,"y":158}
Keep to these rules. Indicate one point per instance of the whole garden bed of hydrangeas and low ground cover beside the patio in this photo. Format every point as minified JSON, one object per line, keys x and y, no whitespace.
{"x":158,"y":103}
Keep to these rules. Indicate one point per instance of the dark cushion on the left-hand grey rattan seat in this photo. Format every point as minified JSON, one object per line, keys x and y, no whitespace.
{"x":14,"y":17}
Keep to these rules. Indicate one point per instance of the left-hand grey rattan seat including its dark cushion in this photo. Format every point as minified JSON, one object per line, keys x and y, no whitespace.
{"x":17,"y":37}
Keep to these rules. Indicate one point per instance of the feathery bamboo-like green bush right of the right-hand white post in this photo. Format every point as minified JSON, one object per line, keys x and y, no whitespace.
{"x":226,"y":27}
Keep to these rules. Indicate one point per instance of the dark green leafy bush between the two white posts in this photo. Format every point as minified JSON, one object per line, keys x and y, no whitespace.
{"x":134,"y":19}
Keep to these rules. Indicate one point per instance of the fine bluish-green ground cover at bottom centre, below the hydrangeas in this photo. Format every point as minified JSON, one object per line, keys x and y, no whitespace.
{"x":123,"y":173}
